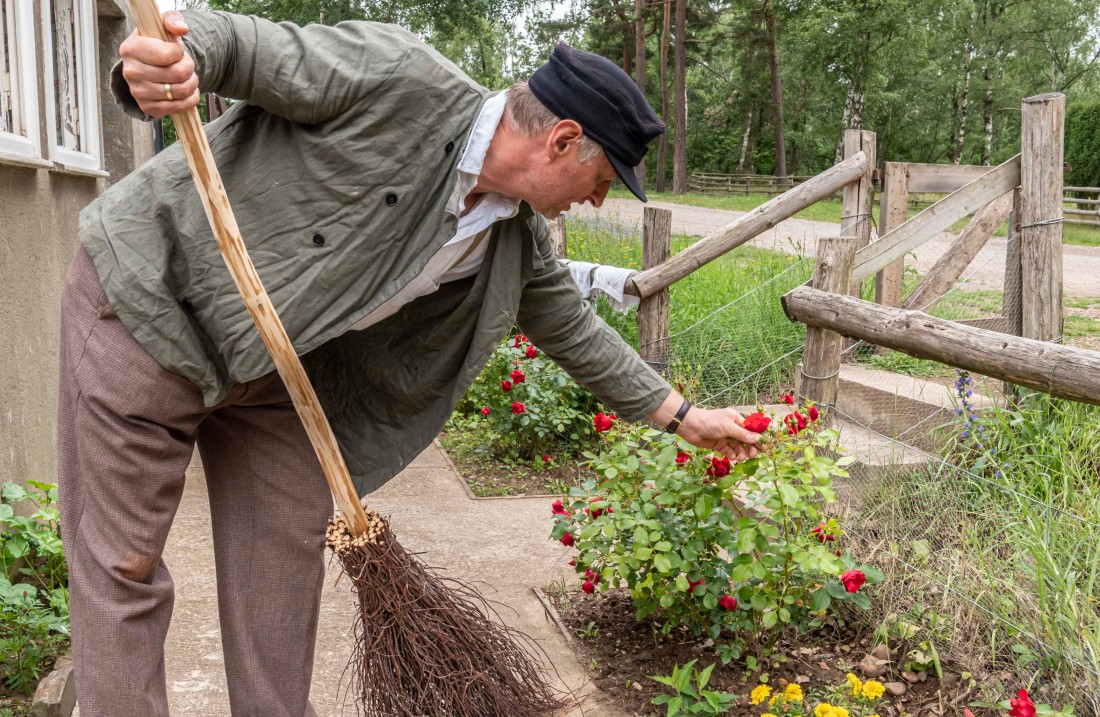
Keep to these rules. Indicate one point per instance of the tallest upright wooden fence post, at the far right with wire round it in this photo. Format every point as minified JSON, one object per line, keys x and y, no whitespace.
{"x":1041,"y":146}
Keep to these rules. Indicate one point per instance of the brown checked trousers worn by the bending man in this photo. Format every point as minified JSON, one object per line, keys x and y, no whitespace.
{"x":126,"y":436}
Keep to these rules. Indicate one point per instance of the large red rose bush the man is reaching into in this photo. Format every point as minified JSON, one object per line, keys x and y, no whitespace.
{"x":735,"y":551}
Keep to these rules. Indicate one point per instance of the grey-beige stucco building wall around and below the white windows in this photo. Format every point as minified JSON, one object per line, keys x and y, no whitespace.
{"x":39,"y":216}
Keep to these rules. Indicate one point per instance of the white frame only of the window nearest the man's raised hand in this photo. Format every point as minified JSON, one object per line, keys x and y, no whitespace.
{"x":90,"y":159}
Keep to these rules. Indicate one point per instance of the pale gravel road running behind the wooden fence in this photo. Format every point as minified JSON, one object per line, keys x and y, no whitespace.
{"x":1082,"y":264}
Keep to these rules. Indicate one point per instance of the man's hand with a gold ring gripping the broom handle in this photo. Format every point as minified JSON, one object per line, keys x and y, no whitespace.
{"x":160,"y":74}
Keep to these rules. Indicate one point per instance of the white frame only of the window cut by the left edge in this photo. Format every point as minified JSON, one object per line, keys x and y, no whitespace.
{"x":25,"y":146}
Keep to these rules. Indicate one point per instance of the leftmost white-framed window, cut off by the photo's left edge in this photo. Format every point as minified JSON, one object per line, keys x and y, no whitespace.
{"x":19,"y":89}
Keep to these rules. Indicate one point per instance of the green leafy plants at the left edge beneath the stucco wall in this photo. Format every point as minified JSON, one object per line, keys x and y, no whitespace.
{"x":35,"y":621}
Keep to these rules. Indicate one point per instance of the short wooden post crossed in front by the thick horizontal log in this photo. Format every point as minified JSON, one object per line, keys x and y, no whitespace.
{"x":821,"y":365}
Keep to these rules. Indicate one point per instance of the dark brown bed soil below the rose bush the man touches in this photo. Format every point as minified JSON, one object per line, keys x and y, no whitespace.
{"x":622,"y":654}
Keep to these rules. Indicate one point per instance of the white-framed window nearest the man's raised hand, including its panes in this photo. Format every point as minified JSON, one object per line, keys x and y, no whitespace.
{"x":73,"y":105}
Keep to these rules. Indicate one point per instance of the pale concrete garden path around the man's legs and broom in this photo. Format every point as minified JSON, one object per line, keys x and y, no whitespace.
{"x":501,"y":546}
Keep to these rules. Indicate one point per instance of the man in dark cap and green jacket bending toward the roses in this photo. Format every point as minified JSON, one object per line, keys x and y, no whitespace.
{"x":389,"y":204}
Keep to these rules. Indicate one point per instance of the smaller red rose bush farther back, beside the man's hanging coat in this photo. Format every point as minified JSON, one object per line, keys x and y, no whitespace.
{"x":534,"y":407}
